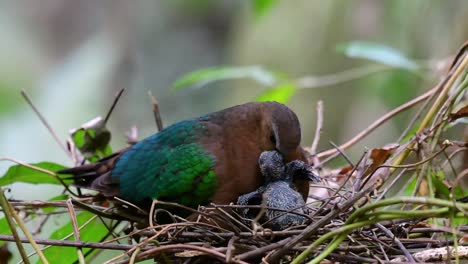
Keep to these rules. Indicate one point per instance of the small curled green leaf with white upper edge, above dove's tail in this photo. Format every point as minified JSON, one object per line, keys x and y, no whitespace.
{"x":92,"y":139}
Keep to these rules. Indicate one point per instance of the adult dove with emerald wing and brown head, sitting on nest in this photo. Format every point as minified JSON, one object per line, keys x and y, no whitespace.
{"x":208,"y":159}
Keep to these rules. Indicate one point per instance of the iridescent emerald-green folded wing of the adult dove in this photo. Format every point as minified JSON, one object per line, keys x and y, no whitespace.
{"x":169,"y":166}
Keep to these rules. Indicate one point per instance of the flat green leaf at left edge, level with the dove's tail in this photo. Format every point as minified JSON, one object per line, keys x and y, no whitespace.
{"x":20,"y":173}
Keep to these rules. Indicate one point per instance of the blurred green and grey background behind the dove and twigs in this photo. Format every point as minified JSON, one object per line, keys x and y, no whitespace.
{"x":73,"y":56}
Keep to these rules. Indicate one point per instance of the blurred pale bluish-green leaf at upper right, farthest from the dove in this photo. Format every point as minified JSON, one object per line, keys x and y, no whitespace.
{"x":377,"y":52}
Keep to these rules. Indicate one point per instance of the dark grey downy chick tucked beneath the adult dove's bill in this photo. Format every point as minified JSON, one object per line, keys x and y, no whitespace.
{"x":279,"y":192}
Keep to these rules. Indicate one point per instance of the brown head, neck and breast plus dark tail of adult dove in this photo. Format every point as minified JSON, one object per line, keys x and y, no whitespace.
{"x":237,"y":137}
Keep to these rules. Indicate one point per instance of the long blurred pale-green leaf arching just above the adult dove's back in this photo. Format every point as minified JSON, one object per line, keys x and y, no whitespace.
{"x":202,"y":77}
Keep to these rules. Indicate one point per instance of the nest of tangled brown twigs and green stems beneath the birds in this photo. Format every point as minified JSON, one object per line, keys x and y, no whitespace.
{"x":357,"y":214}
